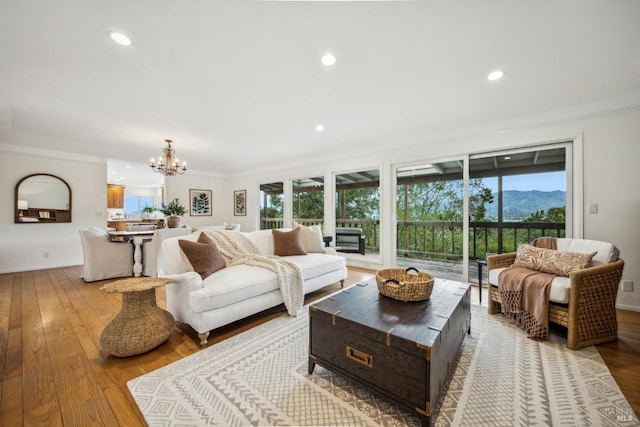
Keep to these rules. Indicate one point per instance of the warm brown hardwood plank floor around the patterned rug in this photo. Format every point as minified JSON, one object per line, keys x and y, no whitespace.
{"x":53,"y":372}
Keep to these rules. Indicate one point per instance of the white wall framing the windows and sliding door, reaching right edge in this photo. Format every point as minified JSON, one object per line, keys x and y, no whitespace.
{"x":611,"y":146}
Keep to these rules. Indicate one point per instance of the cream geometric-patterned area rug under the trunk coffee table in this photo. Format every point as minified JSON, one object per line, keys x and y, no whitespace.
{"x":501,"y":379}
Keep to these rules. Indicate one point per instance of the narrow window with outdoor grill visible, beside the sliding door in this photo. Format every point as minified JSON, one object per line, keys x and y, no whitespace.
{"x":358,"y":206}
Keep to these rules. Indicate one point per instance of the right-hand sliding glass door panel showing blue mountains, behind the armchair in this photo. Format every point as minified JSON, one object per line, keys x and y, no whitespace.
{"x":529,"y":198}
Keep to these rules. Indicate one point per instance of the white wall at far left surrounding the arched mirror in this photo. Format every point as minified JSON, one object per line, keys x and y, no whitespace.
{"x":23,"y":245}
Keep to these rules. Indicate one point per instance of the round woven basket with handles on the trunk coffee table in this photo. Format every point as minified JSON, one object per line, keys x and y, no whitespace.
{"x":401,"y":285}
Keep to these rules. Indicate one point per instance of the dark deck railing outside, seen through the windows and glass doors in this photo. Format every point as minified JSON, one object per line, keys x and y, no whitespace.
{"x":443,"y":239}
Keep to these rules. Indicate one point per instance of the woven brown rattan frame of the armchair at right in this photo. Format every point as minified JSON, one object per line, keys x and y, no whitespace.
{"x":590,"y":315}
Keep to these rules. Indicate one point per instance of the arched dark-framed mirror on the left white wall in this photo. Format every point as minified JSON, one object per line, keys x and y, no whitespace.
{"x":42,"y":198}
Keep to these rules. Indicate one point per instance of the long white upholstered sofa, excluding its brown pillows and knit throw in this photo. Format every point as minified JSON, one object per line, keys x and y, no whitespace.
{"x":238,"y":291}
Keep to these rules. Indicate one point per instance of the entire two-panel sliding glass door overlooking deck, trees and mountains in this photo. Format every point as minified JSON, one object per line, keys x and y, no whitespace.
{"x":450,"y":214}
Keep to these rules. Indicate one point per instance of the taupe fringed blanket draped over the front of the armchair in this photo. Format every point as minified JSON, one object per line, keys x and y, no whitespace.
{"x":525,"y":298}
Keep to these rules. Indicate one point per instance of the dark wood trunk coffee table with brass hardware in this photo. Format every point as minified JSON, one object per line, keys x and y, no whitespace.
{"x":401,"y":351}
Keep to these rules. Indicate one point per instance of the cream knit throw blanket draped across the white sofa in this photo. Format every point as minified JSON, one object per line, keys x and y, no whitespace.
{"x":238,"y":249}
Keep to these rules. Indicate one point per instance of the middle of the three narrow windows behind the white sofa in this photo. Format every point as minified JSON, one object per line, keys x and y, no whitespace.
{"x":308,"y":201}
